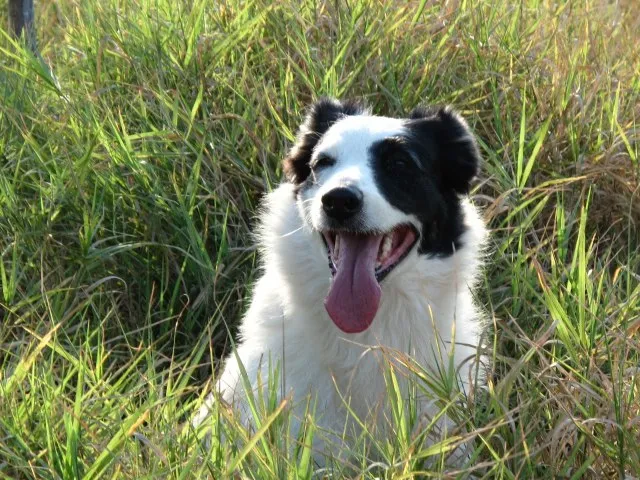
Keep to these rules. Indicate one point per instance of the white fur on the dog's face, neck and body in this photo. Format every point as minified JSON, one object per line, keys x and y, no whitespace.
{"x":423,"y":298}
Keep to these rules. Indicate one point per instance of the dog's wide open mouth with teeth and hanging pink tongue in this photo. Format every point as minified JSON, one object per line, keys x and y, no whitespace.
{"x":358,"y":263}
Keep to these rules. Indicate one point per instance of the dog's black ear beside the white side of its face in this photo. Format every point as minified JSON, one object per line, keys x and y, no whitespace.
{"x":320,"y":116}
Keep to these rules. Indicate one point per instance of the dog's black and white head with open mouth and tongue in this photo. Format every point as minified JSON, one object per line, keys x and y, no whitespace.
{"x":376,"y":189}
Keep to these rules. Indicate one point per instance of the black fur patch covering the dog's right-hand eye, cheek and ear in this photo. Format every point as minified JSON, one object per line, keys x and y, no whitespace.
{"x":424,"y":172}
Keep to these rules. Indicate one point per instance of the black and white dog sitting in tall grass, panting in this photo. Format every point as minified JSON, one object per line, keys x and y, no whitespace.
{"x":369,"y":245}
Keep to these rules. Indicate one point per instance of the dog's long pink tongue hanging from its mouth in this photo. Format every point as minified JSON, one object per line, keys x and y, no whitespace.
{"x":354,"y":293}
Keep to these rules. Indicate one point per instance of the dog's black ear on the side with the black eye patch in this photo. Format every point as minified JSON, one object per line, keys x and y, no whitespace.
{"x":458,"y":157}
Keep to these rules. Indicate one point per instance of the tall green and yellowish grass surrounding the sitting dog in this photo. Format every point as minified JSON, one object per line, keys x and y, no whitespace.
{"x":131,"y":164}
